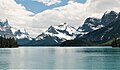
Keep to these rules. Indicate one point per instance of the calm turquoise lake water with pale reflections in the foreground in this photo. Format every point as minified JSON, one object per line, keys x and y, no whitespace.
{"x":83,"y":58}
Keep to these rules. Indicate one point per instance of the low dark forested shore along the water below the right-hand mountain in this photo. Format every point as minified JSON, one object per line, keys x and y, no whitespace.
{"x":115,"y":42}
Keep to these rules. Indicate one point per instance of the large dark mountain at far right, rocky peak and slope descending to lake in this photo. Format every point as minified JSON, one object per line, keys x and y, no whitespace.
{"x":111,"y":22}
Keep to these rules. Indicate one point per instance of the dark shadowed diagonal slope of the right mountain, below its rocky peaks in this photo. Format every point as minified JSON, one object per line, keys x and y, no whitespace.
{"x":106,"y":33}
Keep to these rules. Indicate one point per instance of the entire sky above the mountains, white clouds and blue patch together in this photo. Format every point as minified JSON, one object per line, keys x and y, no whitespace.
{"x":37,"y":15}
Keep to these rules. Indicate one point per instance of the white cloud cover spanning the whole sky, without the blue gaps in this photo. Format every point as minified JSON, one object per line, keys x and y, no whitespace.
{"x":74,"y":13}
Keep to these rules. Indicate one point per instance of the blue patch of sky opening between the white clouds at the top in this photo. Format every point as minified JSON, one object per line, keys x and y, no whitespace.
{"x":40,"y":5}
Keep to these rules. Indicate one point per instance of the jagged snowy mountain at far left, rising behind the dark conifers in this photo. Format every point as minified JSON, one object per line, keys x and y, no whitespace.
{"x":8,"y":31}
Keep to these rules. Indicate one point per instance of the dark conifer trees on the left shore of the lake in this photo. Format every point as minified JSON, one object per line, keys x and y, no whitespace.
{"x":8,"y":42}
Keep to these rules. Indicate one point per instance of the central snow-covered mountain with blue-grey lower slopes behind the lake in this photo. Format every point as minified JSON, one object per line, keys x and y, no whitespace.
{"x":55,"y":35}
